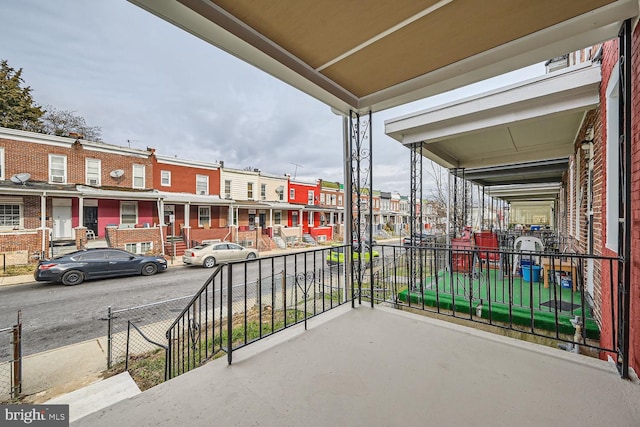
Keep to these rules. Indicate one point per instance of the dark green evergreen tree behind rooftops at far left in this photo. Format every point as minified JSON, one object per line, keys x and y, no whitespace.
{"x":17,"y":108}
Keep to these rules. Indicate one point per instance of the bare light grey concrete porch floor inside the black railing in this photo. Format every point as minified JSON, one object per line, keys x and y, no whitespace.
{"x":384,"y":367}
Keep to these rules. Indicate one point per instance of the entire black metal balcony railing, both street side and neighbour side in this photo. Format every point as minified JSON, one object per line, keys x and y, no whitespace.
{"x":545,"y":294}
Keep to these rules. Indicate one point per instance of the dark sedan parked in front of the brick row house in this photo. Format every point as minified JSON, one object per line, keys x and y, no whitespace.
{"x":75,"y":268}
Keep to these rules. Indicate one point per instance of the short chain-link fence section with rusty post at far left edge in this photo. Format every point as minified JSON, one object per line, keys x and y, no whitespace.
{"x":11,"y":361}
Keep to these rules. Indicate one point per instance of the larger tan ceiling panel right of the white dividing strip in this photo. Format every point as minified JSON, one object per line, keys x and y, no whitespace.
{"x":452,"y":33}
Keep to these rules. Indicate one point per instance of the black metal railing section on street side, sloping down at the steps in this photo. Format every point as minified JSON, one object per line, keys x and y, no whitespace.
{"x":243,"y":302}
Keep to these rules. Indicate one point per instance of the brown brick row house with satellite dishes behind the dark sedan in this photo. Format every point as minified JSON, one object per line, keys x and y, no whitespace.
{"x":54,"y":191}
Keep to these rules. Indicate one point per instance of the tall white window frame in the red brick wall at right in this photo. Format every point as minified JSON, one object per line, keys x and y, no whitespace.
{"x":612,"y":168}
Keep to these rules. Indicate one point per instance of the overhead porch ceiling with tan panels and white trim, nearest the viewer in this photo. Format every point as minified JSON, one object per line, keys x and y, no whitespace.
{"x":375,"y":54}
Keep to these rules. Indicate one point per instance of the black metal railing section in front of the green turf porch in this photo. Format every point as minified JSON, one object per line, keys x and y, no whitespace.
{"x":563,"y":297}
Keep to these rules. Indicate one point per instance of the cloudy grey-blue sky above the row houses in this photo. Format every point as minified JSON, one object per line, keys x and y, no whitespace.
{"x":147,"y":83}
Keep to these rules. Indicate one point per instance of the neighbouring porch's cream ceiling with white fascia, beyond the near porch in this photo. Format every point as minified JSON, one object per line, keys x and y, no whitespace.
{"x":535,"y":120}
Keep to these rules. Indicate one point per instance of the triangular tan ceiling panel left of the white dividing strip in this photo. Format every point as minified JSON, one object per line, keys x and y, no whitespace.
{"x":318,"y":31}
